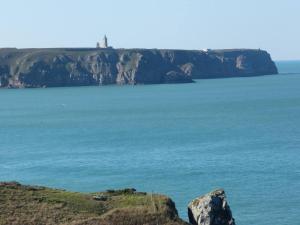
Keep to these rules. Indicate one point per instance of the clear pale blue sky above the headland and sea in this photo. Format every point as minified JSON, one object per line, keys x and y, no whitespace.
{"x":273,"y":25}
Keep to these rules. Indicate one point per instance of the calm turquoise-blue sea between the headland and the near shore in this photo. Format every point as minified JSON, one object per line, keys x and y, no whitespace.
{"x":242,"y":134}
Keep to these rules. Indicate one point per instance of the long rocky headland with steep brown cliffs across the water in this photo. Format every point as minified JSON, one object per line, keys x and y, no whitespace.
{"x":81,"y":67}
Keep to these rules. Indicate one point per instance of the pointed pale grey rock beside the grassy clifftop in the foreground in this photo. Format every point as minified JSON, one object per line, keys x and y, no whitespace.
{"x":210,"y":209}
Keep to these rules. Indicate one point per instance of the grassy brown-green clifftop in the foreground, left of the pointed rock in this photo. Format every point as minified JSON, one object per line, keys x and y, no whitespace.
{"x":24,"y":205}
